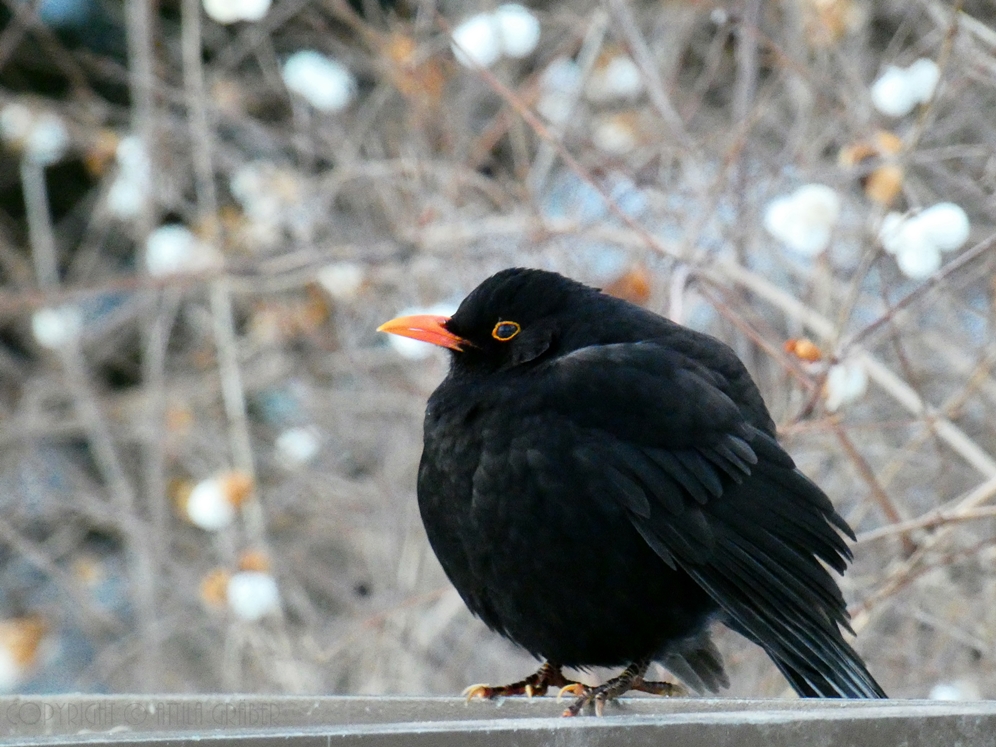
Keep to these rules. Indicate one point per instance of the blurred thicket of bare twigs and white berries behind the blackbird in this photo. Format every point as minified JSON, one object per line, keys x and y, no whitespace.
{"x":207,"y":453}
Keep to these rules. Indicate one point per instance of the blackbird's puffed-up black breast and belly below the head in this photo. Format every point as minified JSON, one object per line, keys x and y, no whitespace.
{"x":520,"y":522}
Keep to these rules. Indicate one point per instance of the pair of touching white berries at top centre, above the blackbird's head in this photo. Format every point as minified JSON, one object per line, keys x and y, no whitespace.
{"x":510,"y":31}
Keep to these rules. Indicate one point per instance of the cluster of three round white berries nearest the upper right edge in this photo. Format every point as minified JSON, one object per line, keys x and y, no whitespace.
{"x":917,"y":240}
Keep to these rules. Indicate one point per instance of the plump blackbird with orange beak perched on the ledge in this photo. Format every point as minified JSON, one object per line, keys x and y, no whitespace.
{"x":600,"y":484}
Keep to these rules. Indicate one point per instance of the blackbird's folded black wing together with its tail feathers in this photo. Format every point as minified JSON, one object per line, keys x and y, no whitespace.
{"x":715,"y":495}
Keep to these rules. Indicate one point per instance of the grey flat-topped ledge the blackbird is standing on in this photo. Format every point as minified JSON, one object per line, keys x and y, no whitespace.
{"x":442,"y":722}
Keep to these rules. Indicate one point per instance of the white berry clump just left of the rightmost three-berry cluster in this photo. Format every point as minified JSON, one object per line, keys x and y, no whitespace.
{"x":804,"y":220}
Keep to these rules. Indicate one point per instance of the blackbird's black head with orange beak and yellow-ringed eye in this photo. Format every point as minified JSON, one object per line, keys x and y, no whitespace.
{"x":514,"y":317}
